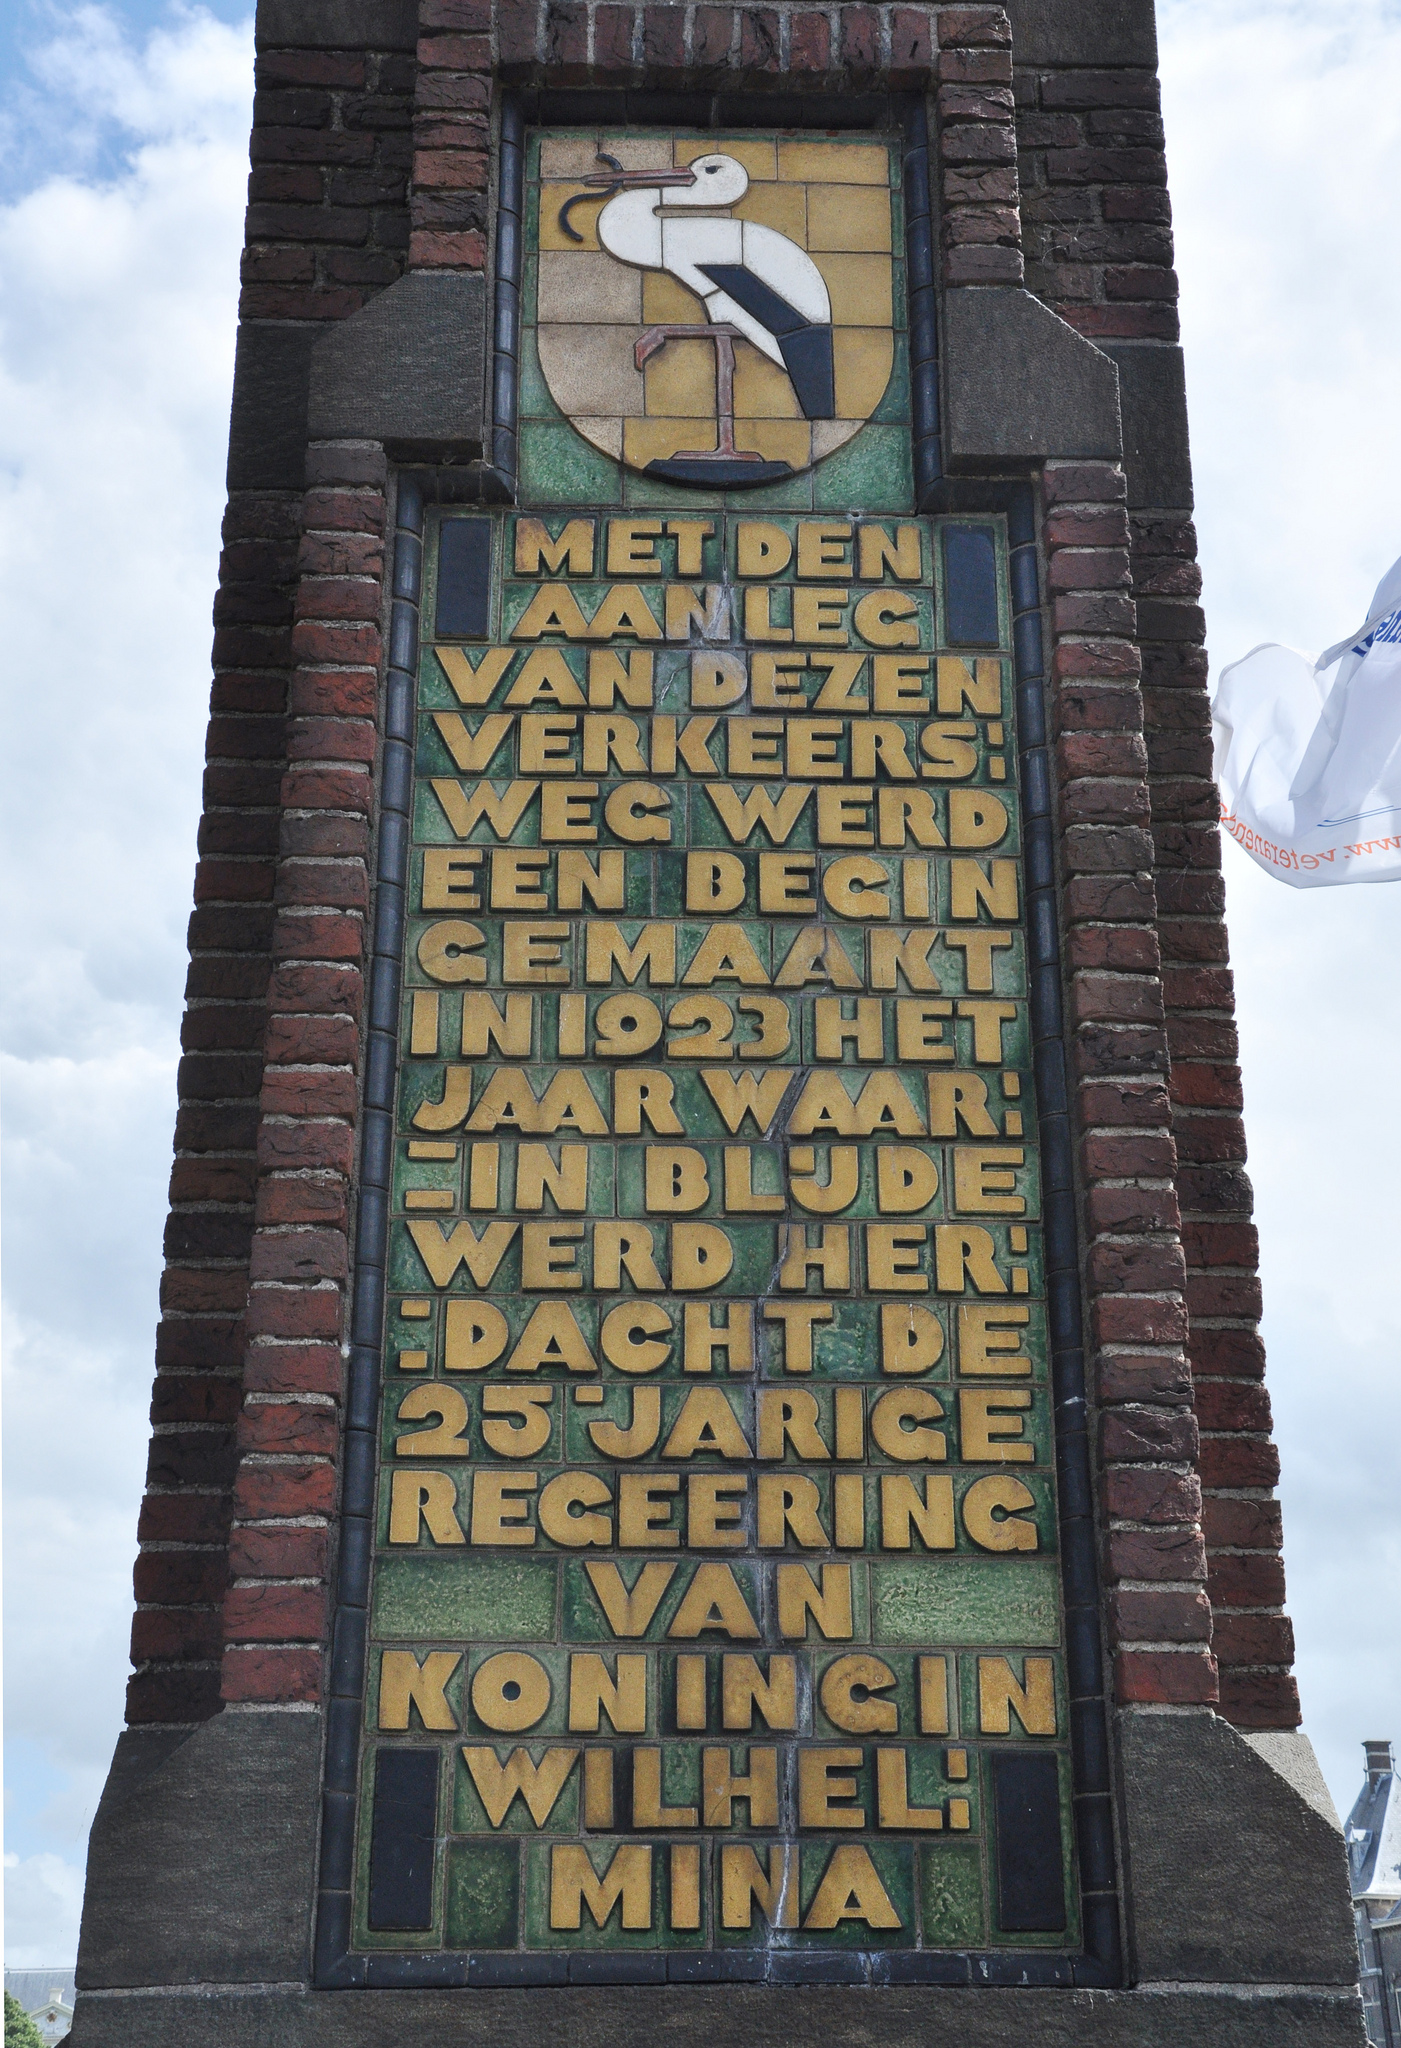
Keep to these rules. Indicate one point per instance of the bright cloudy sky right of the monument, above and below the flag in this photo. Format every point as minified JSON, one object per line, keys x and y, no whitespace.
{"x":1285,"y":157}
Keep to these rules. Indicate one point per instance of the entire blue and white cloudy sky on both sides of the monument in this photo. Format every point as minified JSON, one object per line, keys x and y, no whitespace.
{"x":122,"y":187}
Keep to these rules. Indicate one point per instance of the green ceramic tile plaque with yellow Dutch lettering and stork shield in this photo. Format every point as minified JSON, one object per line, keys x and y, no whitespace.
{"x":716,"y":1603}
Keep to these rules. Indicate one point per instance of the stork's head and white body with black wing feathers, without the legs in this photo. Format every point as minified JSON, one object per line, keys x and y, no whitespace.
{"x":747,"y":275}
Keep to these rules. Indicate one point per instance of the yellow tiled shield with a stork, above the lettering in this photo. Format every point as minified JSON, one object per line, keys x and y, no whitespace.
{"x":712,"y":310}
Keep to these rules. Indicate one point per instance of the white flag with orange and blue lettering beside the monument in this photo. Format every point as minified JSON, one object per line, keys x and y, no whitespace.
{"x":1310,"y":755}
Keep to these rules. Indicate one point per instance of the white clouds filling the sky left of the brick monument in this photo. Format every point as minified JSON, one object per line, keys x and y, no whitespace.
{"x":120,"y":288}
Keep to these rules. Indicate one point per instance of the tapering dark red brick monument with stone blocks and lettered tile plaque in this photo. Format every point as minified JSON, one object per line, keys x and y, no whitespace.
{"x":710,"y":1461}
